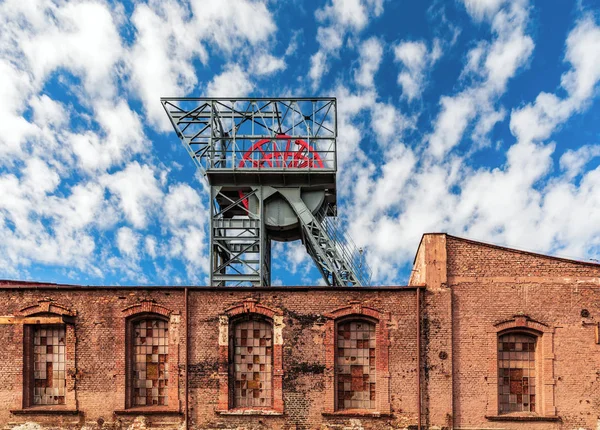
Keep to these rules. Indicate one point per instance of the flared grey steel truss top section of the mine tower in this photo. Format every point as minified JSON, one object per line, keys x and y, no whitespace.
{"x":217,"y":133}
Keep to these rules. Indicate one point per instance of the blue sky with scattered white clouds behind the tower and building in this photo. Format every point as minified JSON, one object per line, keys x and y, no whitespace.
{"x":479,"y":118}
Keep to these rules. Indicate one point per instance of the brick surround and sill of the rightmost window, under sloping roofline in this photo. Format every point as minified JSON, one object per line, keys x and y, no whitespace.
{"x":545,"y":378}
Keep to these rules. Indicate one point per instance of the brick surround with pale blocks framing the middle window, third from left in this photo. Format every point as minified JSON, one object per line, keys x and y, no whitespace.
{"x":227,"y":321}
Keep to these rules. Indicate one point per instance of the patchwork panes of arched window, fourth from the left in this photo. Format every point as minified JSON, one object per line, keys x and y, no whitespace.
{"x":355,"y":365}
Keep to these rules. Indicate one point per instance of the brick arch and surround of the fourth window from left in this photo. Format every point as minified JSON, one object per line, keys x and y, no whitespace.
{"x":356,"y":310}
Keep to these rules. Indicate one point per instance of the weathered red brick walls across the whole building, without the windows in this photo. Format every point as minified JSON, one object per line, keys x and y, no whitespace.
{"x":473,"y":292}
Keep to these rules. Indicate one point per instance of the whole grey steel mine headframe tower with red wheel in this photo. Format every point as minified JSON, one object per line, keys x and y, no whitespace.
{"x":271,"y":168}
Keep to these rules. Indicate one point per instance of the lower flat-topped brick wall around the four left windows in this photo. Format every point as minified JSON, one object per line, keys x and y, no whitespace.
{"x":100,"y":336}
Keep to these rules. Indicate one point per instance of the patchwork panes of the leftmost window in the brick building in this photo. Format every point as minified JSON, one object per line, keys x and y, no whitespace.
{"x":49,"y":359}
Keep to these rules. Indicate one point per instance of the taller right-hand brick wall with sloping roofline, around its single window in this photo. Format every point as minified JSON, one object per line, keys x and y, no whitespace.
{"x":491,"y":285}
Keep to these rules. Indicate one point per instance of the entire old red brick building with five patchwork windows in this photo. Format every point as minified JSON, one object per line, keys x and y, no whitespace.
{"x":502,"y":339}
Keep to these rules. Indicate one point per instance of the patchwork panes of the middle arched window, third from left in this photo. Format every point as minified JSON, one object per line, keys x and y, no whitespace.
{"x":253,"y":364}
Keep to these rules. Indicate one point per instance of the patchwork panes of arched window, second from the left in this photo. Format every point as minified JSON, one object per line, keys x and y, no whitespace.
{"x":150,"y":362}
